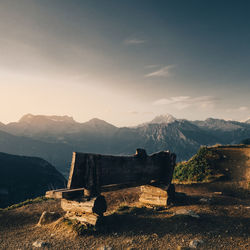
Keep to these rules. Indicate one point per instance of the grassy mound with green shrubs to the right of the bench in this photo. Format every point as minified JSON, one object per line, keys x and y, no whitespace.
{"x":228,"y":163}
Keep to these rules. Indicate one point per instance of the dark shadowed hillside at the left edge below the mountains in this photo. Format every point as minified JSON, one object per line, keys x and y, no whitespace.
{"x":23,"y":177}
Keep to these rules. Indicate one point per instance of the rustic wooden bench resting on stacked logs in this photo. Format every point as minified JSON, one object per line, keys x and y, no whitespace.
{"x":92,"y":174}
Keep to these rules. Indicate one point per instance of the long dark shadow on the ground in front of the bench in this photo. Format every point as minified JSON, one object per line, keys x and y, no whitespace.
{"x":142,"y":221}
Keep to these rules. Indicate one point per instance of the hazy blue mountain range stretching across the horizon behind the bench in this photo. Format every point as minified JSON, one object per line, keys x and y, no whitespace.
{"x":54,"y":138}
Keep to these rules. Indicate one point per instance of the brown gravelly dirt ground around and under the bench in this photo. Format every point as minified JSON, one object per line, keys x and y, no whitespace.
{"x":224,"y":223}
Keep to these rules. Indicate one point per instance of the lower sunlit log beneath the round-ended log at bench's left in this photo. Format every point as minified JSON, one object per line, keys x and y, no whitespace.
{"x":84,"y":218}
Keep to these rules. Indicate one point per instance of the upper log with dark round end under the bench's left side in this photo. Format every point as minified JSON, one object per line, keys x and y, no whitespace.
{"x":95,"y":205}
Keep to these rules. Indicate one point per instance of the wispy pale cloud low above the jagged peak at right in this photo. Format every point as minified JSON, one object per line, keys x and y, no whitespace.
{"x":182,"y":102}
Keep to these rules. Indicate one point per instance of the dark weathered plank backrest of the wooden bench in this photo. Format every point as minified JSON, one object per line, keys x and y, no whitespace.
{"x":93,"y":171}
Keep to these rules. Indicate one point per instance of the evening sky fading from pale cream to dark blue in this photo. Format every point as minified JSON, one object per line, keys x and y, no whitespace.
{"x":125,"y":61}
